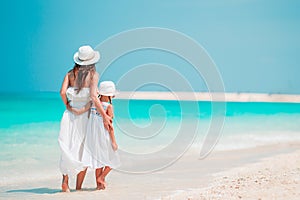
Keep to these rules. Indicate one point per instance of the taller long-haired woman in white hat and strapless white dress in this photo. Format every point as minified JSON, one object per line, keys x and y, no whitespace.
{"x":79,"y":86}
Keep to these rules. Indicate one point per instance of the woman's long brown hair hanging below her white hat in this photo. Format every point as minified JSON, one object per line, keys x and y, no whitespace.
{"x":84,"y":71}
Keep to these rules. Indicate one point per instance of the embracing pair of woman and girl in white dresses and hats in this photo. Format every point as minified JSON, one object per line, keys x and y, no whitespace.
{"x":86,"y":137}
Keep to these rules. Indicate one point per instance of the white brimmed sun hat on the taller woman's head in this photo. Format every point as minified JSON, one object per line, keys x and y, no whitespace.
{"x":86,"y":56}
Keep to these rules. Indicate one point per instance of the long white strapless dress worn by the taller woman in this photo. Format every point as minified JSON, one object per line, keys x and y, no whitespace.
{"x":72,"y":133}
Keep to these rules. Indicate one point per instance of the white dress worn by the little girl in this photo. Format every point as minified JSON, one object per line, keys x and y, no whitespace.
{"x":98,"y":151}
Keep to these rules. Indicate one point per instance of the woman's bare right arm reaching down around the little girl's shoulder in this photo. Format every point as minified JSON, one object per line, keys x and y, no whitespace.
{"x":94,"y":96}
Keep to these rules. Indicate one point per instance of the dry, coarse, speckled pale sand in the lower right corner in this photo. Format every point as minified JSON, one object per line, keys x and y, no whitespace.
{"x":274,"y":177}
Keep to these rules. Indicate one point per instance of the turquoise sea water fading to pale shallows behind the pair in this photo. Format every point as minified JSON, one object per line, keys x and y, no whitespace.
{"x":29,"y":127}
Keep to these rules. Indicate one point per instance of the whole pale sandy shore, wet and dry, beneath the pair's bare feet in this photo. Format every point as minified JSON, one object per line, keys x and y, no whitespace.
{"x":266,"y":172}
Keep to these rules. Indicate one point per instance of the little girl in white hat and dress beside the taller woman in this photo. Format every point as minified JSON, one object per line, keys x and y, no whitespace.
{"x":100,"y":150}
